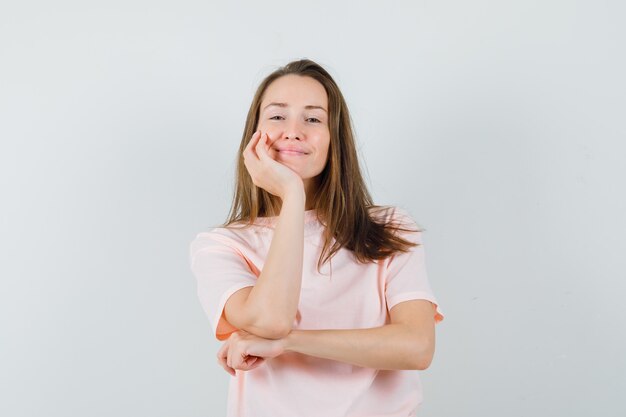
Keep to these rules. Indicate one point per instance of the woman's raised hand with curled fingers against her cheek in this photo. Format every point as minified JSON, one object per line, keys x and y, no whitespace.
{"x":267,"y":173}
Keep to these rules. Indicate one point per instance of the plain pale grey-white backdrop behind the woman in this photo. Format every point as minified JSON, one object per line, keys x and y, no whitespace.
{"x":498,"y":125}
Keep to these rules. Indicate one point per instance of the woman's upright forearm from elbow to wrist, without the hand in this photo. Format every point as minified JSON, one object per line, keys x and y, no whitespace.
{"x":276,"y":295}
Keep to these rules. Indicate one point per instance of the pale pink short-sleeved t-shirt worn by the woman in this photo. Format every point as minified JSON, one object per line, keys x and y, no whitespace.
{"x":354,"y":296}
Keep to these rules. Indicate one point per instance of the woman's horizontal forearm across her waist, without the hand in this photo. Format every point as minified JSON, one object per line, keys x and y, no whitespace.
{"x":392,"y":346}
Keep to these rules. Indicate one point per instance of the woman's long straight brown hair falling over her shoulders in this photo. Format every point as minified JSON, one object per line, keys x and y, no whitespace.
{"x":342,"y":202}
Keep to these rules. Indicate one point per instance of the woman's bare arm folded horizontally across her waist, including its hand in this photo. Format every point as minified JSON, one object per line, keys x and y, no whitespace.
{"x":407,"y":343}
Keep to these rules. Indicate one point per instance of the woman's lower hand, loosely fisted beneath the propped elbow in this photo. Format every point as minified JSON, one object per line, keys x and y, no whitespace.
{"x":245,"y":351}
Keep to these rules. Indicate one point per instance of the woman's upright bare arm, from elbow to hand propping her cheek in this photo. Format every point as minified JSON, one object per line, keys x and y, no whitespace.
{"x":269,"y":308}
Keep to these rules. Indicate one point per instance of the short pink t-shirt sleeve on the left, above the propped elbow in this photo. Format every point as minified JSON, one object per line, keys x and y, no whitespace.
{"x":220,"y":270}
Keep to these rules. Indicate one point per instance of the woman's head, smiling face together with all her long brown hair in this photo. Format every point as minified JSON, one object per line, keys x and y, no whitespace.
{"x":330,"y":172}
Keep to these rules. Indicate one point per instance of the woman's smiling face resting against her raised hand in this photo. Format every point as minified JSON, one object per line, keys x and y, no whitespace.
{"x":294,"y":113}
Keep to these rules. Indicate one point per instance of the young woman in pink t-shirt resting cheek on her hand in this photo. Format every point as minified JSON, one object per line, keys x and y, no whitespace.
{"x":321,"y":297}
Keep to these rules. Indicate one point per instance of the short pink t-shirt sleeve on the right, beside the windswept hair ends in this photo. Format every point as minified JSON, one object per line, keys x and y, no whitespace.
{"x":406,"y":277}
